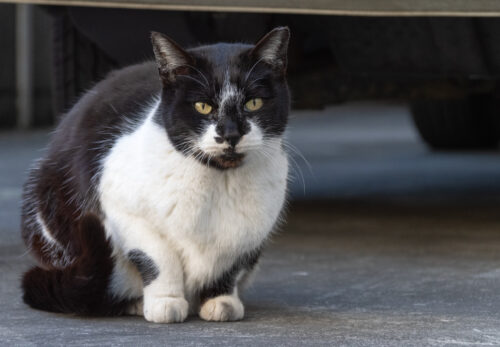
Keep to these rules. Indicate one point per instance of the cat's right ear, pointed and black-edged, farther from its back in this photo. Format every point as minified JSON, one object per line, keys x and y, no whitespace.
{"x":272,"y":48}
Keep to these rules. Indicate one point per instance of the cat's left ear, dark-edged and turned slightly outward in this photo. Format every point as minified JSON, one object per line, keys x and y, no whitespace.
{"x":172,"y":60}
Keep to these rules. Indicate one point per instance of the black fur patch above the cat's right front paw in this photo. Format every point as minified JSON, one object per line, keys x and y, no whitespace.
{"x":226,"y":282}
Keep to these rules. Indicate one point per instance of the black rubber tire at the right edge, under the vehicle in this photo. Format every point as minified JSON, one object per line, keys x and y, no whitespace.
{"x":471,"y":122}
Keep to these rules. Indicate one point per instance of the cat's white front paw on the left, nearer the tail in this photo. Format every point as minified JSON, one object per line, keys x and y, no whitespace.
{"x":165,"y":309}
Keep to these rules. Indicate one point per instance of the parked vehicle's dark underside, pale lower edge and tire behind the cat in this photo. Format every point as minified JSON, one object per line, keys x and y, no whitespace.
{"x":442,"y":56}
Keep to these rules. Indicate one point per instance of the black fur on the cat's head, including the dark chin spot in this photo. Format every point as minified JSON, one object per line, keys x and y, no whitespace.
{"x":202,"y":79}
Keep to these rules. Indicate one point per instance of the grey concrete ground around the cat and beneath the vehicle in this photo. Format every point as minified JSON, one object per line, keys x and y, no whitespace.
{"x":400,"y":248}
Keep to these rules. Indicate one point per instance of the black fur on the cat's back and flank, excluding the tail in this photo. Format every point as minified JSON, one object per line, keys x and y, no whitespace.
{"x":62,"y":185}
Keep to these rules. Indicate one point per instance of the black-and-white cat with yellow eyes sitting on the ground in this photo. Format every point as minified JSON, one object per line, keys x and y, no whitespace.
{"x":161,"y":185}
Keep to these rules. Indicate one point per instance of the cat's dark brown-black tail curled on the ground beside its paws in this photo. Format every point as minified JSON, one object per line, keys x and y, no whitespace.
{"x":81,"y":287}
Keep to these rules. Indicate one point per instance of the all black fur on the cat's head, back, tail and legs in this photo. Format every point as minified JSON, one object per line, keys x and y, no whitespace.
{"x":62,"y":187}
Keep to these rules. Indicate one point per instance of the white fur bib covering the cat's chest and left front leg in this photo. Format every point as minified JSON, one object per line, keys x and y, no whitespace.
{"x":192,"y":220}
